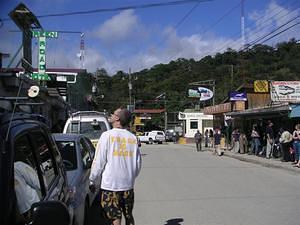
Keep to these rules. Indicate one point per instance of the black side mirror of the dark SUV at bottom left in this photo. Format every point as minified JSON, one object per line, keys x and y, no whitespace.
{"x":49,"y":213}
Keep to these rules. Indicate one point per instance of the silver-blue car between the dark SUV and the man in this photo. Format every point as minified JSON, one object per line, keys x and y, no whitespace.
{"x":78,"y":153}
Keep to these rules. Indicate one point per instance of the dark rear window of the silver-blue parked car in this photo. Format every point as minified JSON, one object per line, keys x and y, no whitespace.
{"x":68,"y":153}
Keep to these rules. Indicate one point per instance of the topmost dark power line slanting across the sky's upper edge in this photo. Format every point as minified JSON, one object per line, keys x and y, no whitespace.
{"x":102,"y":10}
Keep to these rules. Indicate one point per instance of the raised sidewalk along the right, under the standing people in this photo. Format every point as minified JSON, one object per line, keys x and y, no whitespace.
{"x":272,"y":163}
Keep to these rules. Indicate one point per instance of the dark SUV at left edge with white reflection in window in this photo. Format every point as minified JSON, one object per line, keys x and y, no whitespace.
{"x":26,"y":141}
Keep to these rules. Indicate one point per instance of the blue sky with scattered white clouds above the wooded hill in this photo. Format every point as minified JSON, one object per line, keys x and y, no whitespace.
{"x":139,"y":38}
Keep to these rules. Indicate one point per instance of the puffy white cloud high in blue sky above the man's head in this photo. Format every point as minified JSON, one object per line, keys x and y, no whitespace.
{"x":119,"y":27}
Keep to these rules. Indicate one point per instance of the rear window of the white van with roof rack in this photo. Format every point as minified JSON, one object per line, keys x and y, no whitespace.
{"x":90,"y":129}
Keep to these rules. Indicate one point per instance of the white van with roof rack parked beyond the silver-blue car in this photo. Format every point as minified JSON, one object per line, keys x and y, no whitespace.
{"x":89,"y":123}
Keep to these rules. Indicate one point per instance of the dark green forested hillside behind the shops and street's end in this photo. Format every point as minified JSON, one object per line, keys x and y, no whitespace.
{"x":229,"y":69}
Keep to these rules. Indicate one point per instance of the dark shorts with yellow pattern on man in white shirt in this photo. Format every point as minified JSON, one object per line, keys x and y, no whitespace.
{"x":114,"y":203}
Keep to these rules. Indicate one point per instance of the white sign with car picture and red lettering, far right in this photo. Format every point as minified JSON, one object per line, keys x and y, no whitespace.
{"x":285,"y":91}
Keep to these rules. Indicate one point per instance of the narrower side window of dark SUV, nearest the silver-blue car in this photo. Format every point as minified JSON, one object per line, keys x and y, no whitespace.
{"x":47,"y":165}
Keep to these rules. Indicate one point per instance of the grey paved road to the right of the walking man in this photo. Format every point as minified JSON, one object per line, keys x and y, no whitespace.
{"x":179,"y":186}
